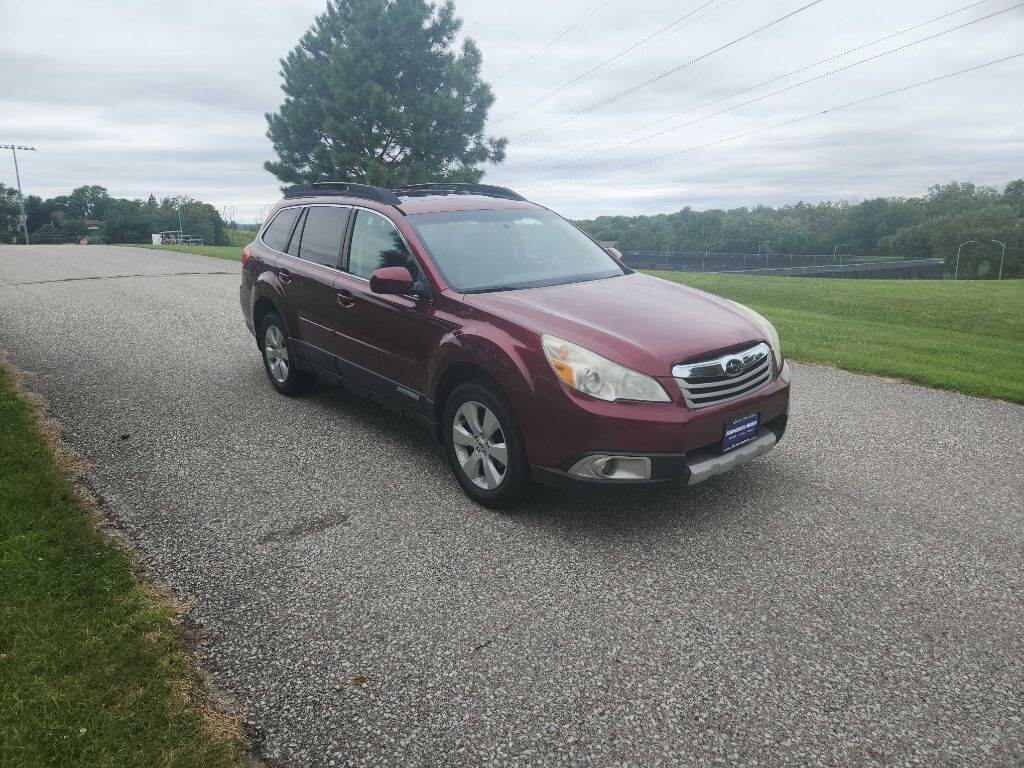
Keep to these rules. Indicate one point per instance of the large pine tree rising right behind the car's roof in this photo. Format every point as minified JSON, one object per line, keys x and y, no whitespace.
{"x":374,"y":93}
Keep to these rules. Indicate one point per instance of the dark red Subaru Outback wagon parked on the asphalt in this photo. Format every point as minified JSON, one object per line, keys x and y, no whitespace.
{"x":529,"y":350}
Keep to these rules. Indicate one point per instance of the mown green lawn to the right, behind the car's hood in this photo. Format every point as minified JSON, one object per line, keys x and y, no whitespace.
{"x":965,"y":335}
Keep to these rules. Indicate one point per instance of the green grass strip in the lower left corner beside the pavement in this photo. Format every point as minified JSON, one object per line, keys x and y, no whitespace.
{"x":92,"y":672}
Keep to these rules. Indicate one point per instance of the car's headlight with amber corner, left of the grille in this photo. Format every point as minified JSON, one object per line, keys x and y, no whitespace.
{"x":594,"y":375}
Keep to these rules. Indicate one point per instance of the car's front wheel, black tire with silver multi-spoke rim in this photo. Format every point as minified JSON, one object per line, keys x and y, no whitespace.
{"x":516,"y":481}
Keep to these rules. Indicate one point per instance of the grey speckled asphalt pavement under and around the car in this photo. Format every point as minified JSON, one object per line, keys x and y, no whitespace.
{"x":854,"y":599}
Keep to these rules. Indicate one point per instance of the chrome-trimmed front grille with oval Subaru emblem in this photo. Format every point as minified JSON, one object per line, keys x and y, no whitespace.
{"x":724,"y":379}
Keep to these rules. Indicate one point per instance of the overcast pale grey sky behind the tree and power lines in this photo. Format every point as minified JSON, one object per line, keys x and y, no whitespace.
{"x":169,"y":99}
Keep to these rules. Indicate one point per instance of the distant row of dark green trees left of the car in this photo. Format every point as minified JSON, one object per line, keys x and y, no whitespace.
{"x":119,"y":221}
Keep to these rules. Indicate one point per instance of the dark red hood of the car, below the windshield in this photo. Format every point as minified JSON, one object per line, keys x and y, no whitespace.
{"x":645,"y":323}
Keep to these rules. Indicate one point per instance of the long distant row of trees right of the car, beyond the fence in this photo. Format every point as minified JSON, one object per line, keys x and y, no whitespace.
{"x":933,"y":226}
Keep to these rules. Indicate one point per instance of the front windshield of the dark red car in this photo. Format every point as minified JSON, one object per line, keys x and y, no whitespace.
{"x":503,"y":250}
